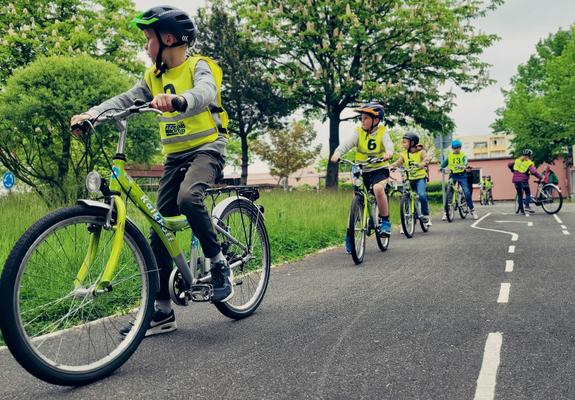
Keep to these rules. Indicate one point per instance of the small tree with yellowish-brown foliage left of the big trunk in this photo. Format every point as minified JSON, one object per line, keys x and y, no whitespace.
{"x":289,"y":150}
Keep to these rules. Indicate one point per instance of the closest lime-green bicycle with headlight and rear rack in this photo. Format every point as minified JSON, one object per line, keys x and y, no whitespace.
{"x":80,"y":274}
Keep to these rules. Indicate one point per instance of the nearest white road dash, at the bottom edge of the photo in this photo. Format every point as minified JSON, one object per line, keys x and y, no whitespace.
{"x":487,"y":379}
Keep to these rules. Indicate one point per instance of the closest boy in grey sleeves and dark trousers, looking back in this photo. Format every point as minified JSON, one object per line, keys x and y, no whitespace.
{"x":194,"y":142}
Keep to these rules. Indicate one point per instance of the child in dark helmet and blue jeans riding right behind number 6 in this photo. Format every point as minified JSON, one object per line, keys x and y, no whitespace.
{"x":416,"y":159}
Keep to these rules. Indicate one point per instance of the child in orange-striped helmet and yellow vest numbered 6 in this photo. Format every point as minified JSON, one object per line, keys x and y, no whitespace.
{"x":371,"y":140}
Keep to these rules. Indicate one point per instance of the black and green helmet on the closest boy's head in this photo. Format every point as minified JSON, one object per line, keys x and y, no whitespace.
{"x":167,"y":19}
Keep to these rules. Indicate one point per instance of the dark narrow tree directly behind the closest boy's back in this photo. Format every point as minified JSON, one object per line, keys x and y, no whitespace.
{"x":252,"y":102}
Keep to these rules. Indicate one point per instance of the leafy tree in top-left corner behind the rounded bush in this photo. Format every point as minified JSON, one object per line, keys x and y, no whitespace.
{"x":33,"y":28}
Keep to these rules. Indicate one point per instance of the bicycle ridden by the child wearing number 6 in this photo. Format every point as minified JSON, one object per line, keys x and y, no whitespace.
{"x":364,"y":213}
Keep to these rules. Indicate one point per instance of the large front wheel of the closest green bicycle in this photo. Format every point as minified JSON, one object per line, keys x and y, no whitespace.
{"x":65,"y":331}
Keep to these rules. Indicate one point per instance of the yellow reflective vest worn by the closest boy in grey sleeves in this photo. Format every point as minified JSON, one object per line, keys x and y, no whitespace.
{"x":183,"y":131}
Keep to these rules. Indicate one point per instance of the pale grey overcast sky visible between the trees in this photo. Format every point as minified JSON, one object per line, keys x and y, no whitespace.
{"x":520,"y":25}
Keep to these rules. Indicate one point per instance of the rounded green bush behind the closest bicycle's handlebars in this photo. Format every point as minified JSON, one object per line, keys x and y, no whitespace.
{"x":35,"y":110}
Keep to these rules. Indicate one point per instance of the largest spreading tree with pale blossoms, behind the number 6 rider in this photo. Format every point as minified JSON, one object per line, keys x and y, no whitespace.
{"x":329,"y":53}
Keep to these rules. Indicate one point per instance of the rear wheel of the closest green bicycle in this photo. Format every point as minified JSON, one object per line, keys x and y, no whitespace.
{"x":256,"y":273}
